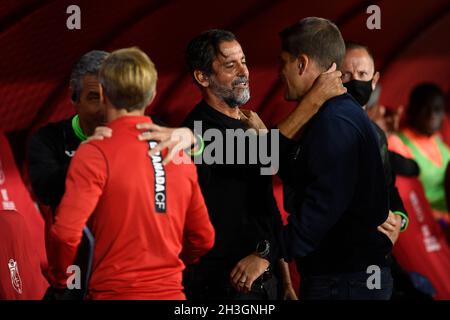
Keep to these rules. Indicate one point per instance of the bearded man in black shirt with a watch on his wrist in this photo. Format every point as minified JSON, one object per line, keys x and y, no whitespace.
{"x":240,"y":200}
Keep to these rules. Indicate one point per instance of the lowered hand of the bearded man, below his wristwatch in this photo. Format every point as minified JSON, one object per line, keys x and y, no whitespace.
{"x":247,"y":271}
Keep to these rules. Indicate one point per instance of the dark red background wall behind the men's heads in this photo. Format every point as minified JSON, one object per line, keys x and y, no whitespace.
{"x":38,"y":51}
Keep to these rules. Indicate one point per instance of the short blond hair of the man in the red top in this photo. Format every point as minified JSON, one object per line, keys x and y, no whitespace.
{"x":128,"y":77}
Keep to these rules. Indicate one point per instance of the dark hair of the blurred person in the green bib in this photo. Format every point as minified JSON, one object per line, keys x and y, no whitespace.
{"x":419,"y":97}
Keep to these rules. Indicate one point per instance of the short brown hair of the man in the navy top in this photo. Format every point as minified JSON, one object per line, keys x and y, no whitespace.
{"x":318,"y":38}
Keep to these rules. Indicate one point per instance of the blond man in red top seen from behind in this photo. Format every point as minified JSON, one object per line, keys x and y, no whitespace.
{"x":147,"y":219}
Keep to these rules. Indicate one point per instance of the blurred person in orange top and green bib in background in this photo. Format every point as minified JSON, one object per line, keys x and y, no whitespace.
{"x":419,"y":140}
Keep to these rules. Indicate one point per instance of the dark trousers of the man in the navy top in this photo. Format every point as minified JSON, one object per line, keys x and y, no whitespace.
{"x":346,"y":286}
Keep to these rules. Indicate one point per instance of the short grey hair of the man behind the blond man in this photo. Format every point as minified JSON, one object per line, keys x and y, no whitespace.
{"x":89,"y":63}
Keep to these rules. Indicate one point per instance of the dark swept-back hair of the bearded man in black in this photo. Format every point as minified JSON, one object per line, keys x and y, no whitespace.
{"x":202,"y":50}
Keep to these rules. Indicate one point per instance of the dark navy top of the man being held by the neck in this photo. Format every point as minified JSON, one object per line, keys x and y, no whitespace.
{"x":341,"y":194}
